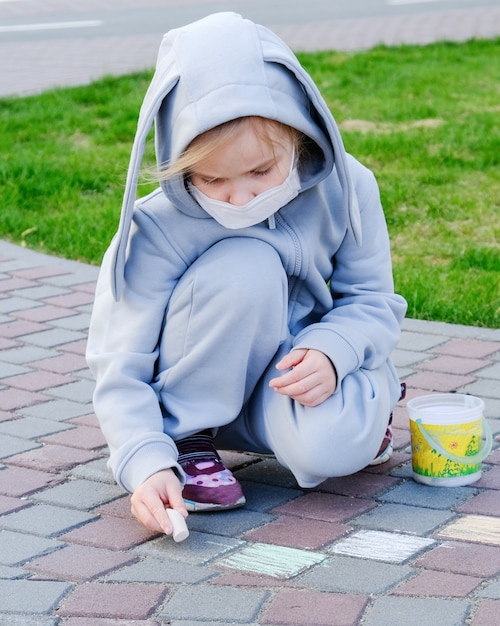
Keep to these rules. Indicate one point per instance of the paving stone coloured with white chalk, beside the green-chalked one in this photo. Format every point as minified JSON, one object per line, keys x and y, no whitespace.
{"x":381,"y":546}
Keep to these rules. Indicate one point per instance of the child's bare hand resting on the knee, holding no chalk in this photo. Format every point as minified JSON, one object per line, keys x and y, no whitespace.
{"x":311,"y":379}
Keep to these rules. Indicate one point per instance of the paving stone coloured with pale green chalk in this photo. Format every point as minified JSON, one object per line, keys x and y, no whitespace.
{"x":271,"y":560}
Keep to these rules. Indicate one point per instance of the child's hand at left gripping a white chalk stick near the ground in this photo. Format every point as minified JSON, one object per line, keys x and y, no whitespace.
{"x":148,"y":501}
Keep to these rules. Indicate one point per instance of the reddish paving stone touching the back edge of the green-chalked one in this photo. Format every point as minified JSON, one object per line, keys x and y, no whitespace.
{"x":298,"y":533}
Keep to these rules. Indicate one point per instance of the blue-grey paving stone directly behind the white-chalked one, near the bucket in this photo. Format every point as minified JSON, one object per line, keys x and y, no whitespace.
{"x":402,"y":518}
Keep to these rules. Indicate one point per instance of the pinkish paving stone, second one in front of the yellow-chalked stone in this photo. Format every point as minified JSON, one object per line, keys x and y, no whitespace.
{"x":438,"y":584}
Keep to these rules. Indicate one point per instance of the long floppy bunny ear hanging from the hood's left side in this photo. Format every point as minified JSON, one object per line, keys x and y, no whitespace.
{"x":161,"y":85}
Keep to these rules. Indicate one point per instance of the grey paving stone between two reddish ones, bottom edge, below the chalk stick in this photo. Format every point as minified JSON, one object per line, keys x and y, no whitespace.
{"x":215,"y":603}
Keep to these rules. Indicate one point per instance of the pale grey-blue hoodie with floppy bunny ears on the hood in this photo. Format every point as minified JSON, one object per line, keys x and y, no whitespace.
{"x":214,"y":70}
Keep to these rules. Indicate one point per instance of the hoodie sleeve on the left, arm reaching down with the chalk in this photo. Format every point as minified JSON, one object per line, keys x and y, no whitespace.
{"x":122,"y":352}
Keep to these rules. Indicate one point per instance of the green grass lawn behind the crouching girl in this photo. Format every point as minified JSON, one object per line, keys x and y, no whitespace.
{"x":425,"y":119}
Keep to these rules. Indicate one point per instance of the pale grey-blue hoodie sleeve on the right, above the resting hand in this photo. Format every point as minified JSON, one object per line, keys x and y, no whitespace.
{"x":364,"y":324}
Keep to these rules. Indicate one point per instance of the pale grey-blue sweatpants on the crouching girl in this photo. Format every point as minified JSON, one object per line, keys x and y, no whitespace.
{"x":226,"y":327}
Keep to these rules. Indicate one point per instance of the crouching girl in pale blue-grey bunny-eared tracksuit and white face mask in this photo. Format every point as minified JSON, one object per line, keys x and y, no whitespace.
{"x":248,"y":302}
